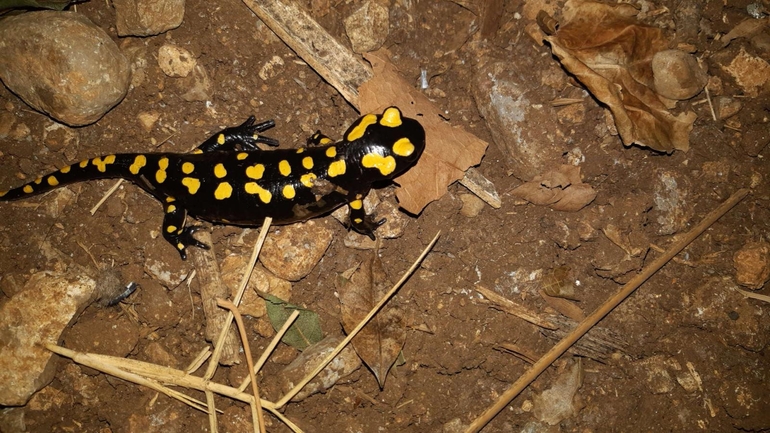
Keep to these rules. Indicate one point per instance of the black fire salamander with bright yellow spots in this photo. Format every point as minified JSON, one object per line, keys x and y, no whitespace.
{"x":227,"y":179}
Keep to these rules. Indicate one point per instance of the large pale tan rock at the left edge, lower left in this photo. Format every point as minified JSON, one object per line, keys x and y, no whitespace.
{"x":32,"y":318}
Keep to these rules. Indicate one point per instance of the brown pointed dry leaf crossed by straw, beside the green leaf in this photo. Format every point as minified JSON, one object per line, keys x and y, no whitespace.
{"x":380,"y":341}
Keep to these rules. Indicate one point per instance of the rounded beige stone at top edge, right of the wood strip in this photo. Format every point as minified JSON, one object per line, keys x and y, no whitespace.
{"x":367,"y":27}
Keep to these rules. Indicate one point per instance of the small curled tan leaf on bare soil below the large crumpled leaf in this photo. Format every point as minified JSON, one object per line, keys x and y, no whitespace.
{"x":561,"y":189}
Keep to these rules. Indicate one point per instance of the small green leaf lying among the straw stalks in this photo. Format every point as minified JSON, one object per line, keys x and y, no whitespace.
{"x":305,"y":331}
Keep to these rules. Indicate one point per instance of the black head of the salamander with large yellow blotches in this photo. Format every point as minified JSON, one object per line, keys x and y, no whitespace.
{"x":384,"y":145}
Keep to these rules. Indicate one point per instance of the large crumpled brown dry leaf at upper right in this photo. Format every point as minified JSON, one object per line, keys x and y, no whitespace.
{"x":610,"y":52}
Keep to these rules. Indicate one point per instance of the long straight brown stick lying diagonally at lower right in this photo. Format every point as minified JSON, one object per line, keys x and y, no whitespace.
{"x":583,"y":327}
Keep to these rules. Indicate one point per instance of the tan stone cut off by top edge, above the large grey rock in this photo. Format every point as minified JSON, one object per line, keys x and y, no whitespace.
{"x":147,"y":17}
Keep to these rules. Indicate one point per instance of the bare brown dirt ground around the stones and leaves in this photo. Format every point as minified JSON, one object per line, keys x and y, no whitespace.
{"x":693,"y":355}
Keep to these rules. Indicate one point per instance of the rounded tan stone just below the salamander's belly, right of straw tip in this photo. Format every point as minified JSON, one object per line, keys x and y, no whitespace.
{"x":292,"y":251}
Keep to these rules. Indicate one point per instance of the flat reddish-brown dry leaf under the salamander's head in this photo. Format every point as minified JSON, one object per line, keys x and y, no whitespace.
{"x":449,"y":150}
